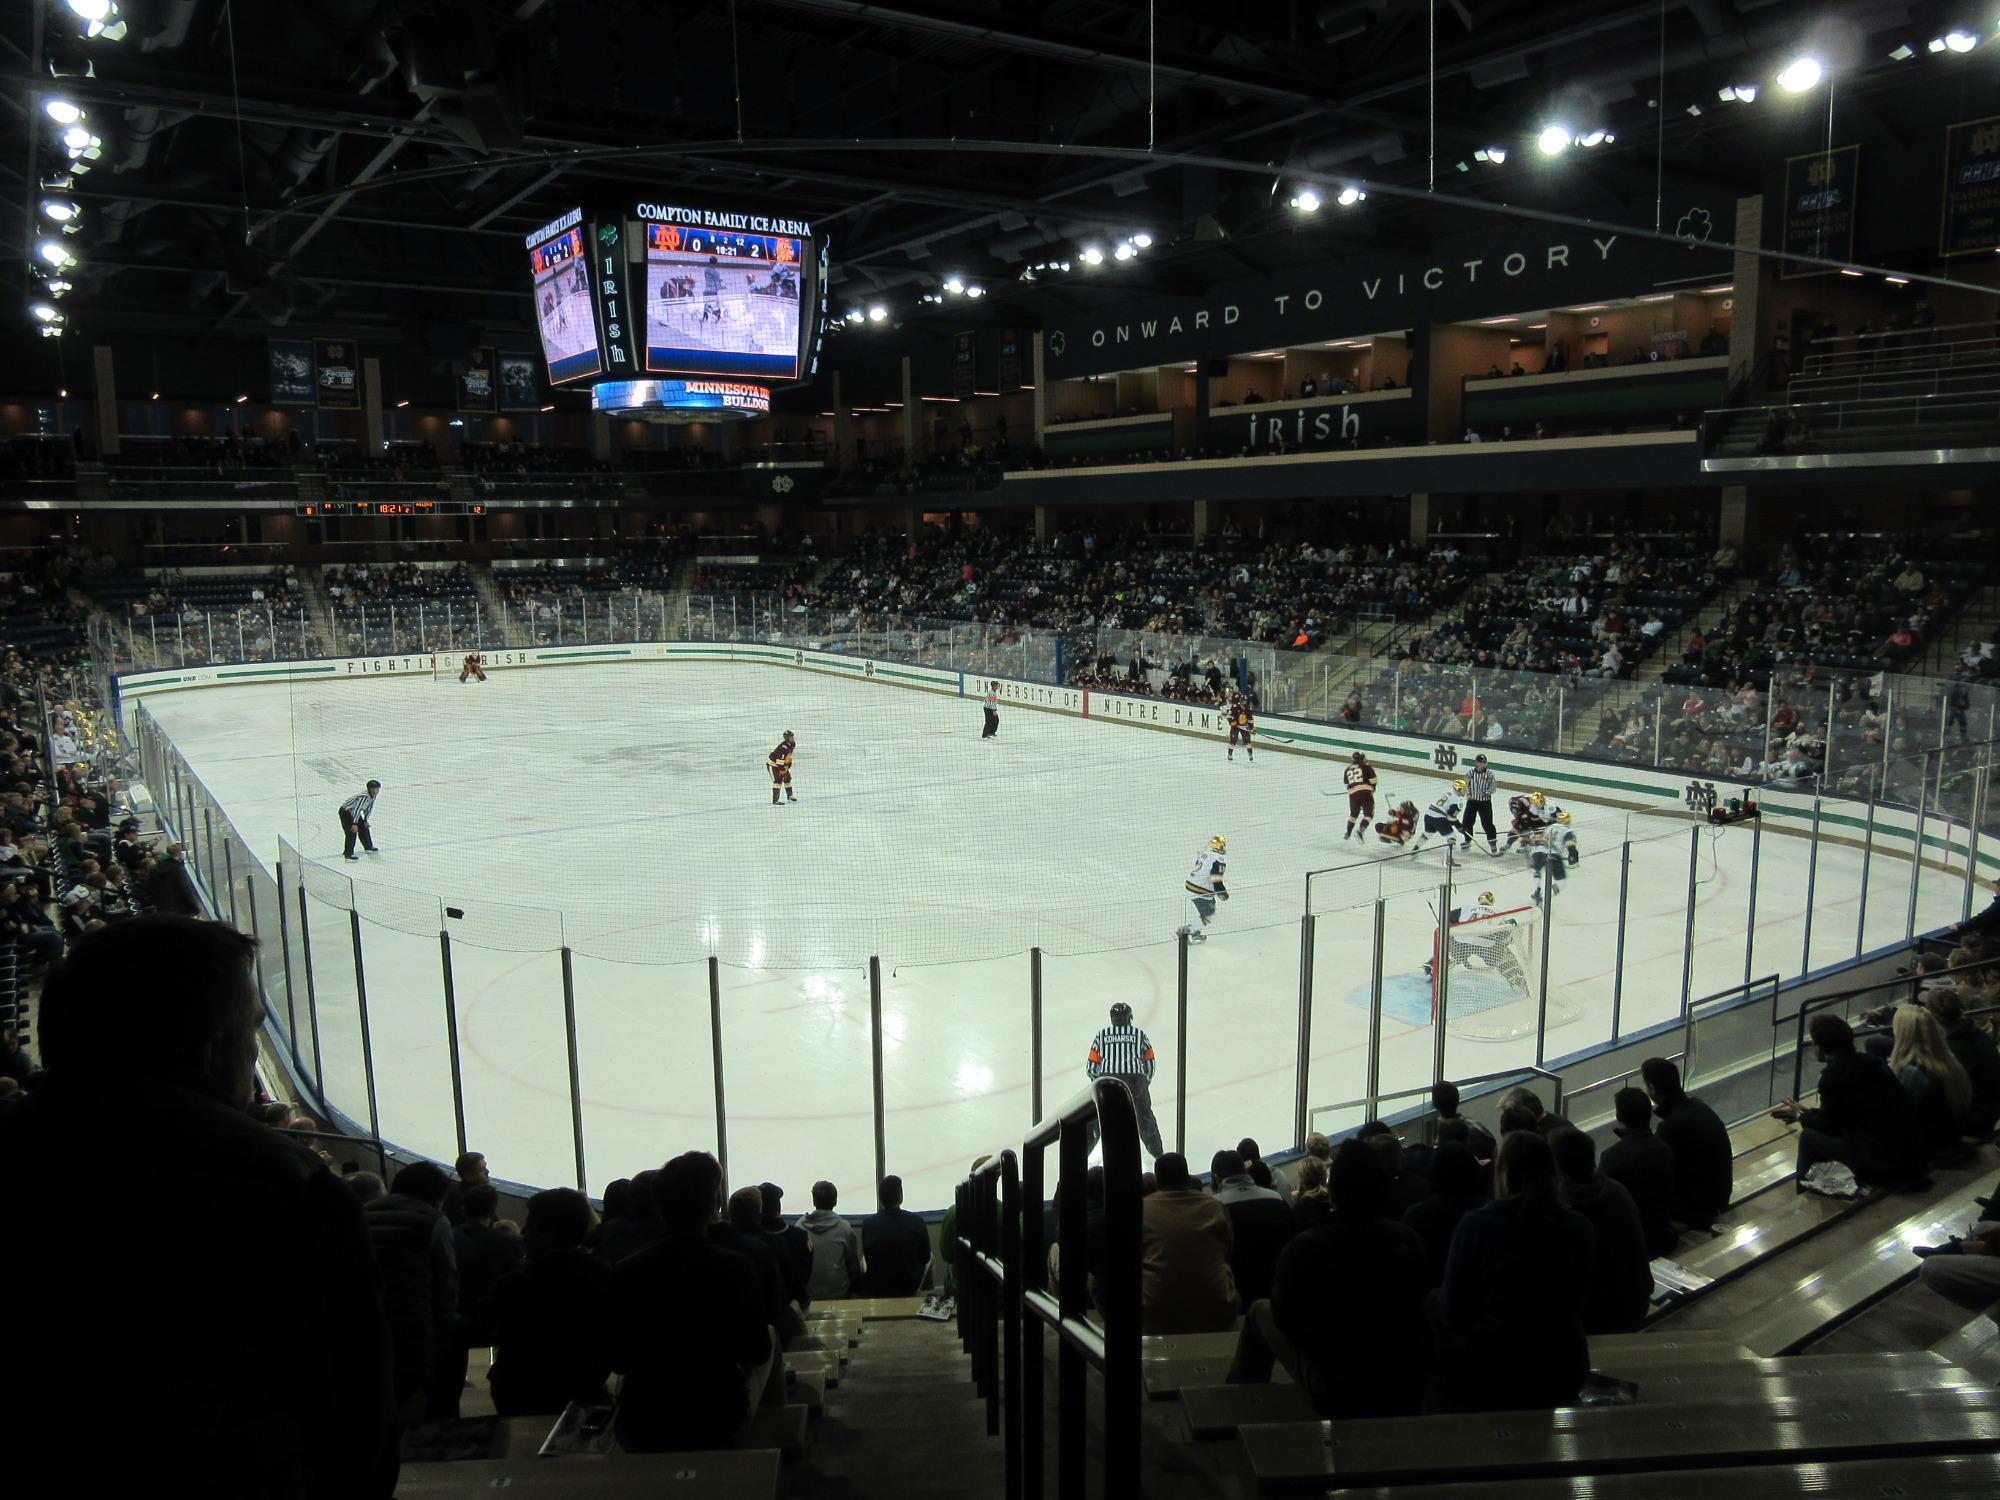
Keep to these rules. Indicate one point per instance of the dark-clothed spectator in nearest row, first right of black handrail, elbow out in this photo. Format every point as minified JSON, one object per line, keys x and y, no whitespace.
{"x":1347,"y":1309}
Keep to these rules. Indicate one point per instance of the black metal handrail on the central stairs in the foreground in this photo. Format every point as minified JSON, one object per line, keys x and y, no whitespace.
{"x":1013,"y":1253}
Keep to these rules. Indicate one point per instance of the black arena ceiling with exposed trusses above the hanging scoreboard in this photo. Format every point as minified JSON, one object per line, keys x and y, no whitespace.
{"x":369,"y":167}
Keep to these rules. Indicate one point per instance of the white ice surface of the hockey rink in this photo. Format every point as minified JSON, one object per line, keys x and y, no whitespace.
{"x":625,"y":813}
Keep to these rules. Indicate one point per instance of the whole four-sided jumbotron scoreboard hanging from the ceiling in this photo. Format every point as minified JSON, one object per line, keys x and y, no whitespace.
{"x":681,"y":315}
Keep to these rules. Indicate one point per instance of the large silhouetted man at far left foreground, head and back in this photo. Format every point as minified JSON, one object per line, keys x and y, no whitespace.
{"x":257,"y":1249}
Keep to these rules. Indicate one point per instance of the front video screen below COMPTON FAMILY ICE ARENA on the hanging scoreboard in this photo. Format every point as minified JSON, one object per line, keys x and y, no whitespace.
{"x":721,"y":303}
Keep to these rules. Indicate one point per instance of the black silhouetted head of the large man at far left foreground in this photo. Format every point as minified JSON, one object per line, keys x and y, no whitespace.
{"x":157,"y":997}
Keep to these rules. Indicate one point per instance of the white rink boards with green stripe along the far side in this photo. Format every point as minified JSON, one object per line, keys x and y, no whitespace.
{"x":1633,"y":787}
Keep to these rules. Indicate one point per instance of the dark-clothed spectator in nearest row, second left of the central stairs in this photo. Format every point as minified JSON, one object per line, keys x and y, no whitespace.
{"x":547,"y":1321}
